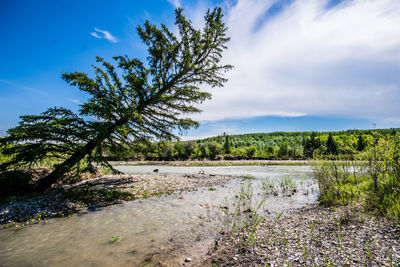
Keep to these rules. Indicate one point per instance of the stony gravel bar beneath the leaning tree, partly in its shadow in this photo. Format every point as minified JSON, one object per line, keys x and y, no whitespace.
{"x":95,"y":193}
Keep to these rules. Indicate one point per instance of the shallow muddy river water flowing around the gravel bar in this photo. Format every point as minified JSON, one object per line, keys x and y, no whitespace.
{"x":150,"y":228}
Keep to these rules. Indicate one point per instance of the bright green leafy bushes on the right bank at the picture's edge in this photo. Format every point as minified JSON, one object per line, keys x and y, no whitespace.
{"x":375,"y":179}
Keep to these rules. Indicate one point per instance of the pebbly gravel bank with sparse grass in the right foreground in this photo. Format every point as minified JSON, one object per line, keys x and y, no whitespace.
{"x":313,"y":236}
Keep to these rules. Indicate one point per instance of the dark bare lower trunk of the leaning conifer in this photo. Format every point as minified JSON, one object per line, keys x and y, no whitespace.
{"x":46,"y":182}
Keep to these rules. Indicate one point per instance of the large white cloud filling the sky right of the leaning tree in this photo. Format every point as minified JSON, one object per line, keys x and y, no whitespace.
{"x":311,"y":60}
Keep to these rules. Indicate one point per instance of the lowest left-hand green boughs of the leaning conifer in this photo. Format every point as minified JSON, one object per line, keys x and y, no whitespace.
{"x":53,"y":135}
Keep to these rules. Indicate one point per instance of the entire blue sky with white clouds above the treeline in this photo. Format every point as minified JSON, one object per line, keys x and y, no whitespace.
{"x":299,"y":64}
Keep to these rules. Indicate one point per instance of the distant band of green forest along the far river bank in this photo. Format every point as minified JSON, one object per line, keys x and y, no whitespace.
{"x":276,"y":145}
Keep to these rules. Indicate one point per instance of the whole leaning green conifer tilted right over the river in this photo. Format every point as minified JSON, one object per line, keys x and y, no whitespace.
{"x":131,"y":100}
